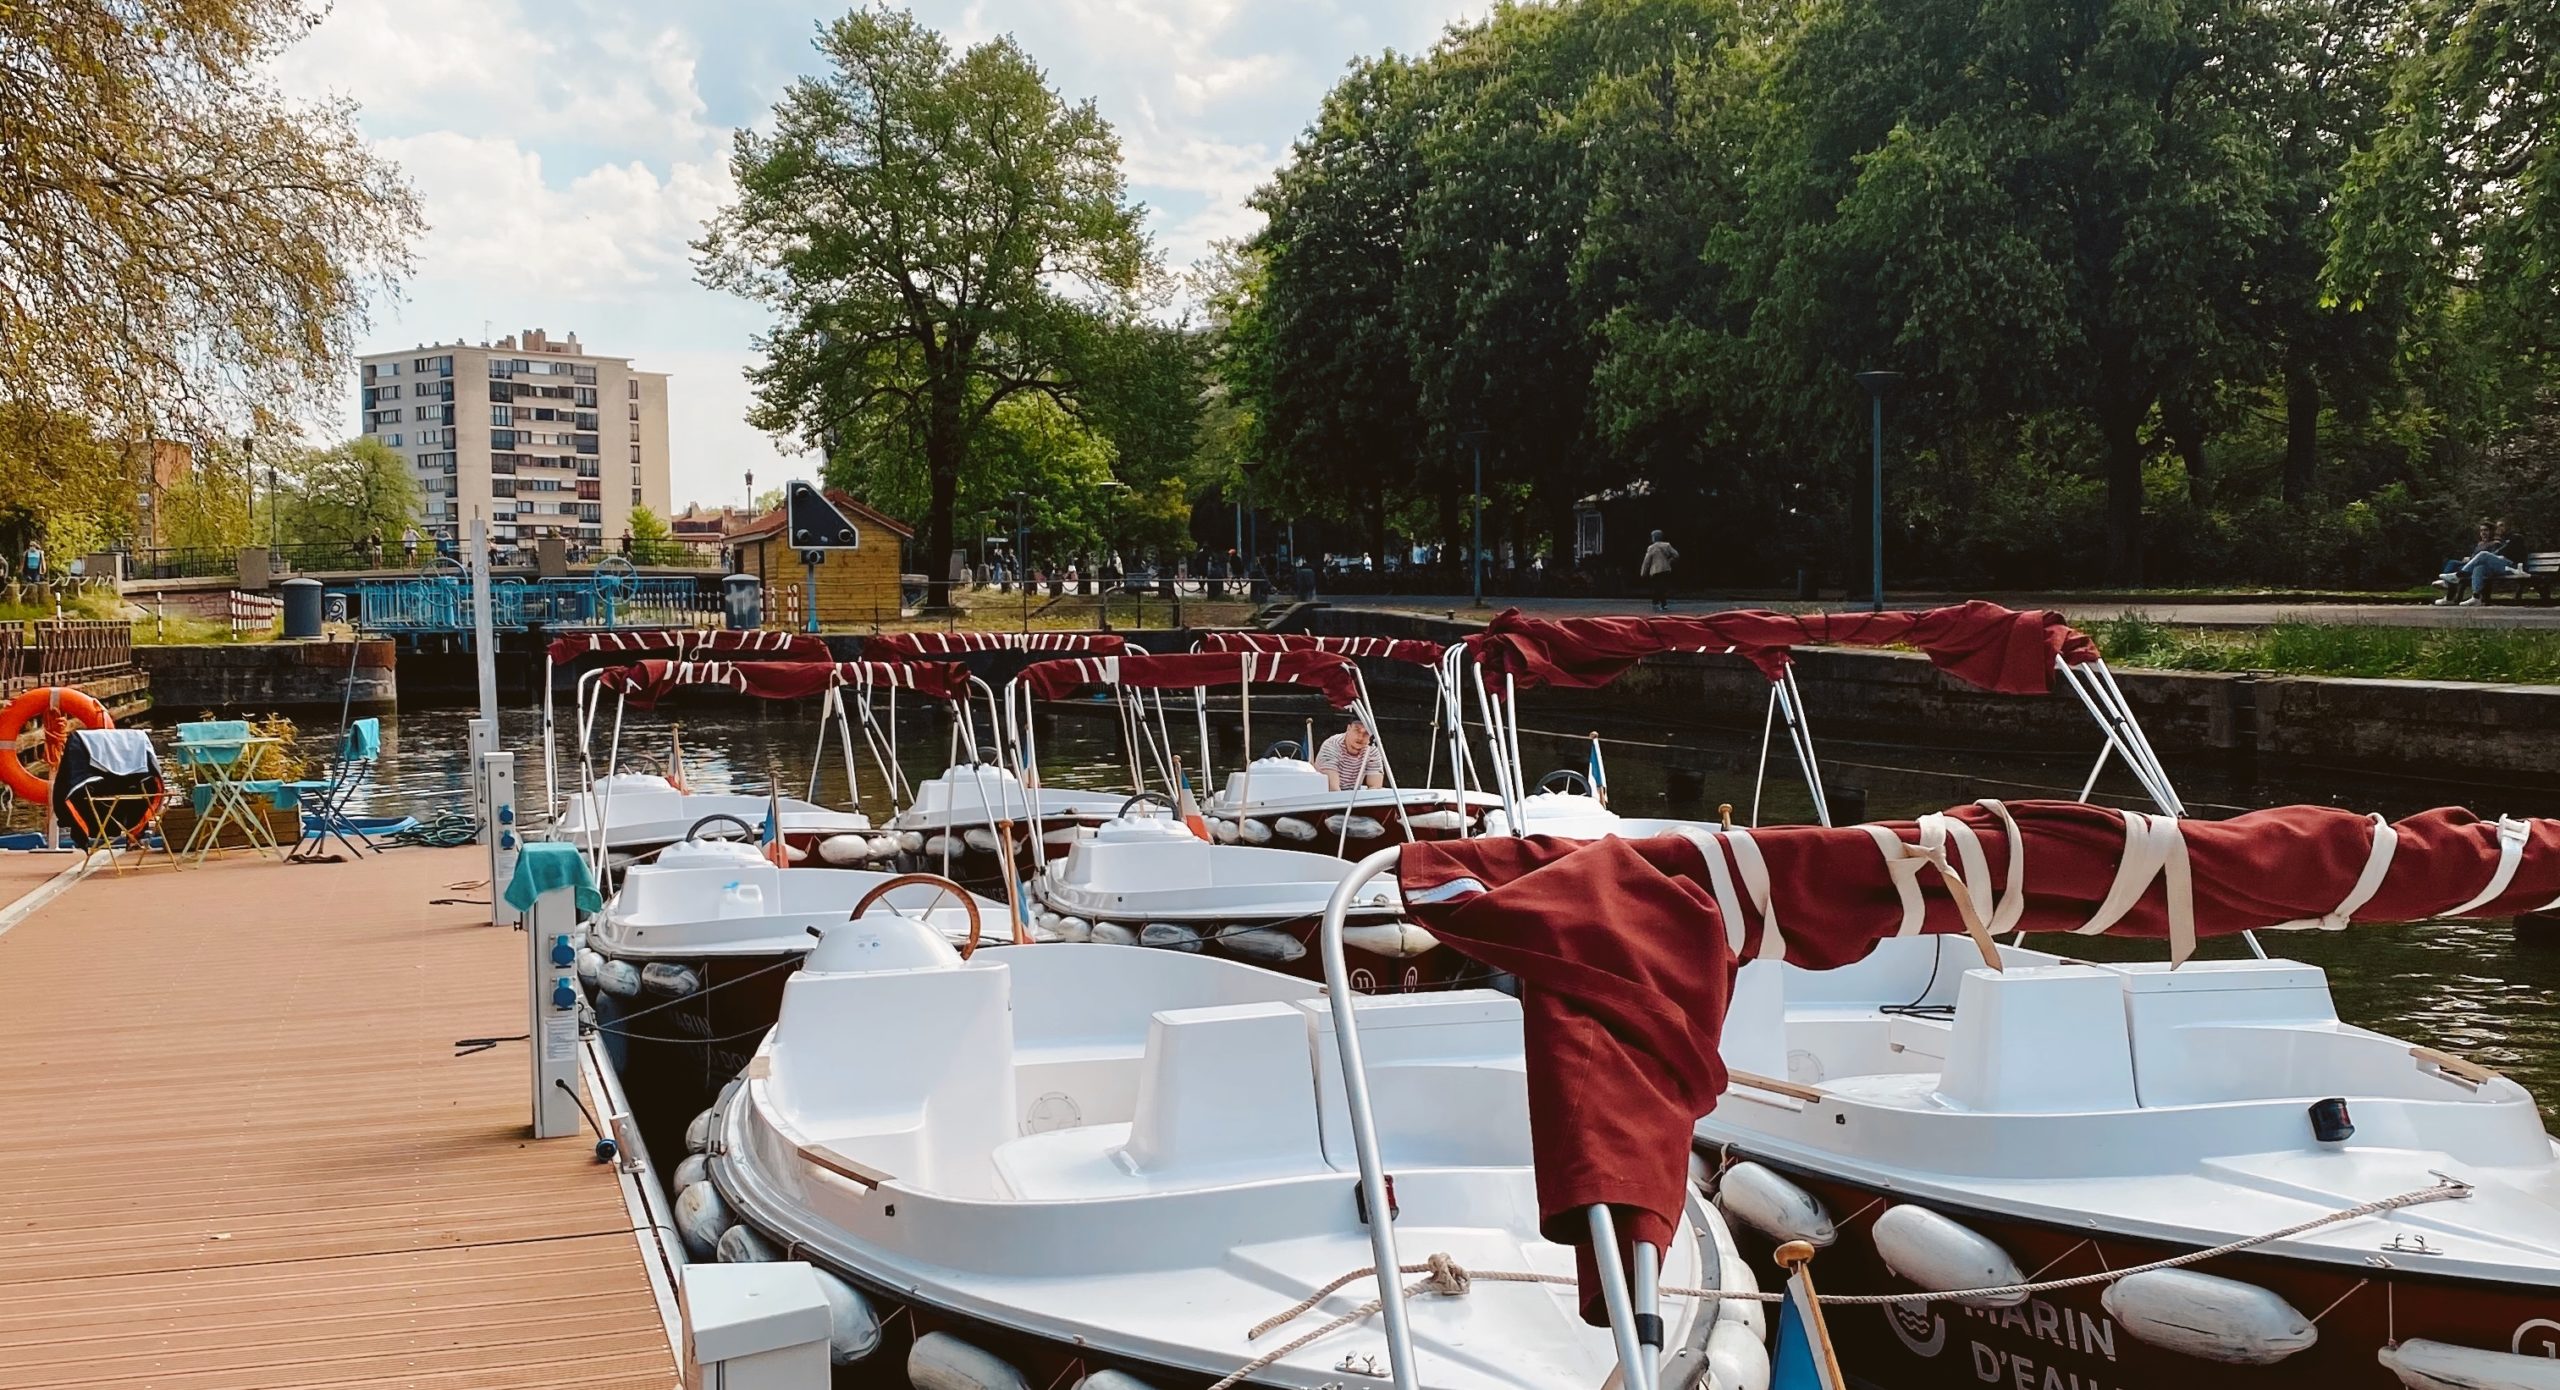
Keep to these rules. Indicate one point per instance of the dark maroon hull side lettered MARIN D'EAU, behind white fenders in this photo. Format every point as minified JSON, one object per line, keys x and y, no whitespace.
{"x":2067,"y":1340}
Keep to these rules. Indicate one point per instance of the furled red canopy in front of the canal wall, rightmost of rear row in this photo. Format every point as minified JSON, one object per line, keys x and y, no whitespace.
{"x":1978,"y":644}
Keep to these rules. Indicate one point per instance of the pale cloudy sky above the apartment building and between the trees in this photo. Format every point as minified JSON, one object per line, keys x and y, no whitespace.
{"x":570,"y":150}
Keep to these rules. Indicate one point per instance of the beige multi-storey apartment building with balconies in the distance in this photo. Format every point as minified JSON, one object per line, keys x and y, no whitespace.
{"x":534,"y":434}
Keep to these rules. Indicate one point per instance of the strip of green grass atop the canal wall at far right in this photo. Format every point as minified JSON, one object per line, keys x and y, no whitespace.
{"x":2333,"y":649}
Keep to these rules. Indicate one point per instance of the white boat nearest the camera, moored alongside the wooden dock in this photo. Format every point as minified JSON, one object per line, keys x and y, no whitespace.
{"x":1069,"y":1166}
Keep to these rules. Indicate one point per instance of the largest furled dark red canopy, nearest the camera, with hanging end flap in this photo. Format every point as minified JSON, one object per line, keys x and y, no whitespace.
{"x":1627,"y":948}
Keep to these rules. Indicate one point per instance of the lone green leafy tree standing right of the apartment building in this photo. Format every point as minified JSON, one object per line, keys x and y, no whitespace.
{"x":938,"y":234}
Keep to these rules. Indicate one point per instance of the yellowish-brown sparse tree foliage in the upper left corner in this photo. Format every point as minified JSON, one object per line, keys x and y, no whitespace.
{"x":178,"y":242}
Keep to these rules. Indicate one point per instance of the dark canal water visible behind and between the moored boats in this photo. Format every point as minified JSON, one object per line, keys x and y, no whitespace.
{"x":2467,"y":987}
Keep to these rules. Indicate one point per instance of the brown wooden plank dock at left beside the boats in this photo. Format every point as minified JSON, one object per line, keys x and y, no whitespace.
{"x":242,"y":1153}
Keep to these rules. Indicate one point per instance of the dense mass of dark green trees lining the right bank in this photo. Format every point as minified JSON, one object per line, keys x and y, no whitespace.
{"x":2177,"y":288}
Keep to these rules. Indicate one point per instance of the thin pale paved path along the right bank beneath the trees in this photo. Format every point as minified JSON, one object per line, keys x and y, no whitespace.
{"x":2200,"y":613}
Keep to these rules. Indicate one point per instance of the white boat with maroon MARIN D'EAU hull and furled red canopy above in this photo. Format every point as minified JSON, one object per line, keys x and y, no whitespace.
{"x":2106,"y":1174}
